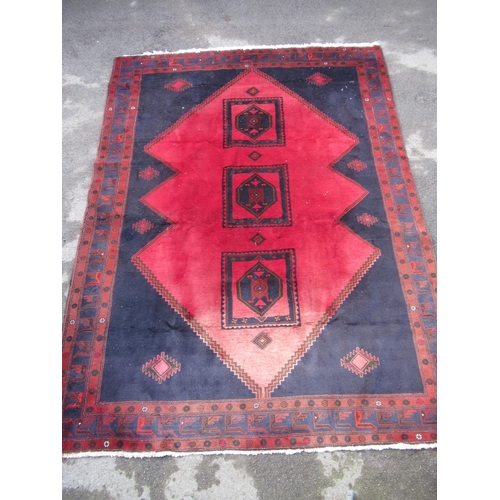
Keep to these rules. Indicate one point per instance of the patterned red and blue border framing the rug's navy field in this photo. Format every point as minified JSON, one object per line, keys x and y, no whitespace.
{"x":322,"y":420}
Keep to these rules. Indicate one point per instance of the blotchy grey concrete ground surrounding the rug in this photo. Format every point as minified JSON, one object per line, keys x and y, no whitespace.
{"x":96,"y":31}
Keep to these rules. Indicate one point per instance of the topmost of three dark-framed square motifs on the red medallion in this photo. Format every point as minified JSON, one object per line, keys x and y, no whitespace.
{"x":253,"y":122}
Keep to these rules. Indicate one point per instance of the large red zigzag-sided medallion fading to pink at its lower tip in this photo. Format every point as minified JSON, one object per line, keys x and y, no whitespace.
{"x":255,"y":267}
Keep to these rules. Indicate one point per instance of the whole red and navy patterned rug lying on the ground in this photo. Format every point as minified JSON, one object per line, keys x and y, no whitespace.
{"x":253,"y":273}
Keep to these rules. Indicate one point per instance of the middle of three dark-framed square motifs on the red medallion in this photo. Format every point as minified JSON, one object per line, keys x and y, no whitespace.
{"x":256,"y":196}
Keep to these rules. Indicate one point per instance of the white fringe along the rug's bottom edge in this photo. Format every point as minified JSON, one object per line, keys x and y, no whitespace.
{"x":153,"y":454}
